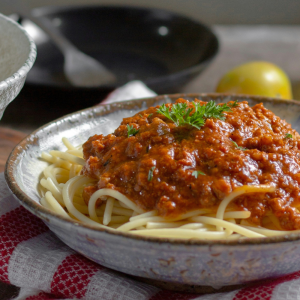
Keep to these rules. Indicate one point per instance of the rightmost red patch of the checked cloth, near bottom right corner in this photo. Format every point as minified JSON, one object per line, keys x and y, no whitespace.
{"x":264,"y":291}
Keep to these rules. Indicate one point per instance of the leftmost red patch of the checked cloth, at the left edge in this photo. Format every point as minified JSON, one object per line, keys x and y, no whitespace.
{"x":16,"y":226}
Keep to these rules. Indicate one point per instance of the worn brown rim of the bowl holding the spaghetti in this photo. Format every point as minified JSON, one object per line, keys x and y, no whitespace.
{"x":46,"y":214}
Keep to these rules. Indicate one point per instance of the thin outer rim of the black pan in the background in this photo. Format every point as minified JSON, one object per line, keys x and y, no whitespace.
{"x":46,"y":10}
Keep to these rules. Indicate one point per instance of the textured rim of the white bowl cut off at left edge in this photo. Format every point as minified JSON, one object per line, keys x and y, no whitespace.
{"x":24,"y":69}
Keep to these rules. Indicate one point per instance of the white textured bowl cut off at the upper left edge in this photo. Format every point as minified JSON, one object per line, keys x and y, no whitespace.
{"x":17,"y":55}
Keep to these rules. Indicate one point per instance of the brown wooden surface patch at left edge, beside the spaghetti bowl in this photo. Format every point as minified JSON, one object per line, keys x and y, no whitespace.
{"x":9,"y":138}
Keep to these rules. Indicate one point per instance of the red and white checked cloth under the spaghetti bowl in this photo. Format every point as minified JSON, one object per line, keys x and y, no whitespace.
{"x":31,"y":257}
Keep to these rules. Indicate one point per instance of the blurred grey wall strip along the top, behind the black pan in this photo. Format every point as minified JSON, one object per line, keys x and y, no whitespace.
{"x":208,"y":11}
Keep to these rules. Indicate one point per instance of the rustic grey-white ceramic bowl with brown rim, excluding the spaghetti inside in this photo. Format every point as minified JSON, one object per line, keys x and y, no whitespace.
{"x":204,"y":263}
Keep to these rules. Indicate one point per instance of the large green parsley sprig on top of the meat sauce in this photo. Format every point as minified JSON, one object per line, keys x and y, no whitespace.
{"x":181,"y":114}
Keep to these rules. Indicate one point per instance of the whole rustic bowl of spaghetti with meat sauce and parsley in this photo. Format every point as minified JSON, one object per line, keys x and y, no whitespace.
{"x":195,"y":189}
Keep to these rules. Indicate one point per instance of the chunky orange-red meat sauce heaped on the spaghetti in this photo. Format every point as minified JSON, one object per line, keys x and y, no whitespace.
{"x":155,"y":168}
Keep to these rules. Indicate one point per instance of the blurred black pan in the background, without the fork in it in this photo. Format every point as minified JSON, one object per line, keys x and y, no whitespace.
{"x":163,"y":49}
